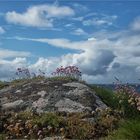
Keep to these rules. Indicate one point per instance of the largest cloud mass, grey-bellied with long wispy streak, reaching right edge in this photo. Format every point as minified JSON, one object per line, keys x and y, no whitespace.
{"x":99,"y":58}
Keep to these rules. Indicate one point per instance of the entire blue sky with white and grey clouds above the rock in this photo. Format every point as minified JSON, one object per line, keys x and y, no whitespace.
{"x":101,"y":37}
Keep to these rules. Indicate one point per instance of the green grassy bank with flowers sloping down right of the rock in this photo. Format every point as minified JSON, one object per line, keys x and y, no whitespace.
{"x":126,"y":104}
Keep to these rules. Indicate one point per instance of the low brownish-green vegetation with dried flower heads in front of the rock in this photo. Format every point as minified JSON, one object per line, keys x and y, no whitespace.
{"x":67,"y":125}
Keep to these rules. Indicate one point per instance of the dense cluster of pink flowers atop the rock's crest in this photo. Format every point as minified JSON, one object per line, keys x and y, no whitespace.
{"x":69,"y":71}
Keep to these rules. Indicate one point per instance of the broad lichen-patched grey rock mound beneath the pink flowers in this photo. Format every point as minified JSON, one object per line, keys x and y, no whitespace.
{"x":50,"y":96}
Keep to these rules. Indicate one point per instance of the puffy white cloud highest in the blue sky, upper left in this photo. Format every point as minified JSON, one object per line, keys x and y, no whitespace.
{"x":39,"y":16}
